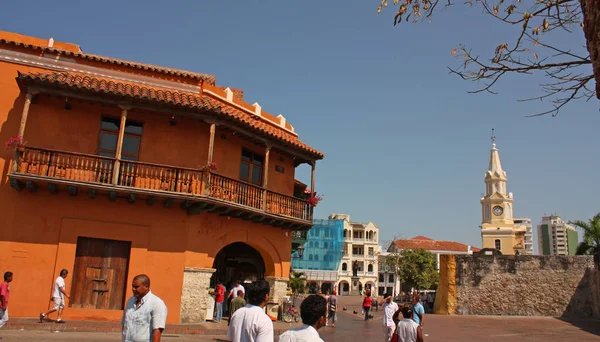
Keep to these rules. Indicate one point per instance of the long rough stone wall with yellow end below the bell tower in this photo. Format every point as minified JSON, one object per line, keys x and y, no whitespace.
{"x":519,"y":285}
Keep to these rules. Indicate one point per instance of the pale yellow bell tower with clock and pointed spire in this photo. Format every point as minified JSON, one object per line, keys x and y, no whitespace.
{"x":498,"y":228}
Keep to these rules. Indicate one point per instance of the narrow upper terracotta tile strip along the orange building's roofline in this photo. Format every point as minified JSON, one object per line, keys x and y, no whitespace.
{"x":141,"y":66}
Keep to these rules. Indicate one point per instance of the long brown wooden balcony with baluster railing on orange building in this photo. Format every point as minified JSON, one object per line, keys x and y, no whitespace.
{"x":196,"y":190}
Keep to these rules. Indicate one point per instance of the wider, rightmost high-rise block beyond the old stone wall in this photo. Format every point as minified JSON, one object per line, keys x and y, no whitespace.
{"x":557,"y":237}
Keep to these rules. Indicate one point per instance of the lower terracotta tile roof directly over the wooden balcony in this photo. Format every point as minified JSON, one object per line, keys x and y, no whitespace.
{"x":188,"y":100}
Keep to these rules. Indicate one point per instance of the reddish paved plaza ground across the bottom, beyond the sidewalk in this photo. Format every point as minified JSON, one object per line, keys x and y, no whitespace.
{"x":352,"y":327}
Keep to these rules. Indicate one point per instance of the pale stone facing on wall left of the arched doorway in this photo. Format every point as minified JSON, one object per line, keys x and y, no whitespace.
{"x":194,"y":295}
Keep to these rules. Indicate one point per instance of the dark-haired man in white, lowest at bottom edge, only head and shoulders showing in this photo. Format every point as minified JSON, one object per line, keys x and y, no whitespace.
{"x":313,"y":311}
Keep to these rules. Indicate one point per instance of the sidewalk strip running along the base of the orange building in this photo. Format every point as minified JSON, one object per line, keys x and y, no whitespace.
{"x":207,"y":328}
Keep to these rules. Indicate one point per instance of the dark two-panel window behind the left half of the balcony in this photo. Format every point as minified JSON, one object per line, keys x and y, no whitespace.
{"x":109,"y":134}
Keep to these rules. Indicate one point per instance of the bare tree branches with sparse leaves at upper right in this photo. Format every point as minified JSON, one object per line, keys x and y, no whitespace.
{"x":569,"y":72}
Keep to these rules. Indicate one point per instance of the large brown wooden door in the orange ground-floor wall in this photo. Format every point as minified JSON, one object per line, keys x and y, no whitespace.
{"x":100,"y":274}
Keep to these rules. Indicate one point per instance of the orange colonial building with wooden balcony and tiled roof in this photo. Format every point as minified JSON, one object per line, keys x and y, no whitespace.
{"x":116,"y":175}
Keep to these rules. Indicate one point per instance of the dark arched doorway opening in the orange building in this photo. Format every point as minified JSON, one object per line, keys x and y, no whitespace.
{"x":238,"y":261}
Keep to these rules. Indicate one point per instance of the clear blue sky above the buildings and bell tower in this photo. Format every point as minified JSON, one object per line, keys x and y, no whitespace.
{"x":406,"y":147}
